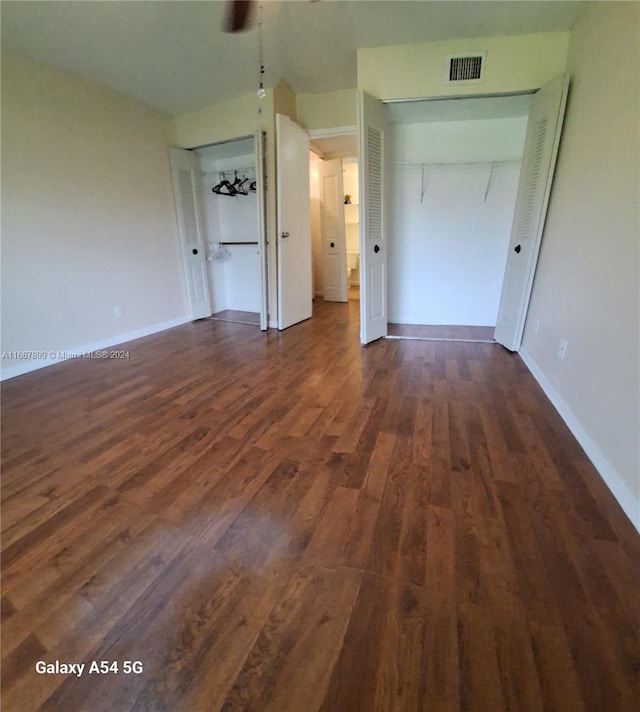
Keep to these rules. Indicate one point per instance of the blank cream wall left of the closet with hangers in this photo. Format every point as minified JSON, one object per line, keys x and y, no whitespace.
{"x":88,"y":221}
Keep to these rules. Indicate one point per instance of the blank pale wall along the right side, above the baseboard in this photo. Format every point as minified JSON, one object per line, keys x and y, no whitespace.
{"x":586,"y":285}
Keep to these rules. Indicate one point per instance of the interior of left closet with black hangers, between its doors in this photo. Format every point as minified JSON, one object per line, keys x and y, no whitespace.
{"x":231,"y":226}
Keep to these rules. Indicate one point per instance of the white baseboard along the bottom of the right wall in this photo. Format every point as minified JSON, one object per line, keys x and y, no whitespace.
{"x":619,"y":488}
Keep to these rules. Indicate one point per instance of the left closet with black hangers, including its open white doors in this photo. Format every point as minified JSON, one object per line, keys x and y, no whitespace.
{"x":215,"y":282}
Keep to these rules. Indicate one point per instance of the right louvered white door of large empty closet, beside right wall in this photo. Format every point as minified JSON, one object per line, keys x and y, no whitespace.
{"x":546,"y":114}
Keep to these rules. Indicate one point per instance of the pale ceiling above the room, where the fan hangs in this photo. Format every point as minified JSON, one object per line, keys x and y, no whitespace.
{"x":172,"y":54}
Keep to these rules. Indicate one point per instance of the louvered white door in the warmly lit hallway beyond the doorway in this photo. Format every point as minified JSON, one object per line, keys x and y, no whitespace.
{"x":334,"y":241}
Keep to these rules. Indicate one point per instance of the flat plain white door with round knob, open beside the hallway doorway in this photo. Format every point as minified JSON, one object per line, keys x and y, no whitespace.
{"x":293,"y":223}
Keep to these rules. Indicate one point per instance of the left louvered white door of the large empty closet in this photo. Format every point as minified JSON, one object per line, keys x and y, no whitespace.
{"x":372,"y":126}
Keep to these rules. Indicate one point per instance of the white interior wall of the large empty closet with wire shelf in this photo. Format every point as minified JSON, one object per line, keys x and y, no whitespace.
{"x":448,"y":245}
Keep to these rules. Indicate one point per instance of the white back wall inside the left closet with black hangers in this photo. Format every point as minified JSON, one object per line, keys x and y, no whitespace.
{"x":234,"y":279}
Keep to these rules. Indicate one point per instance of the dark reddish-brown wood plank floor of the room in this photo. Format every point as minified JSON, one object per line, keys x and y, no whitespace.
{"x":288,"y":521}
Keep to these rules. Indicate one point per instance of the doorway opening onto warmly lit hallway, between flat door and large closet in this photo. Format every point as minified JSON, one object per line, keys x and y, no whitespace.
{"x":334,"y":215}
